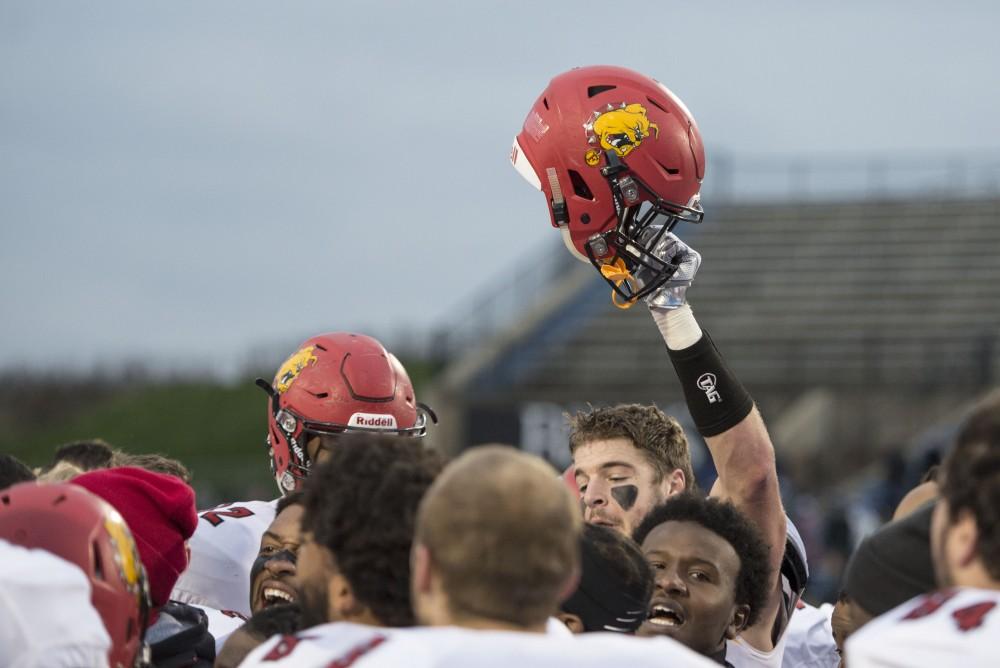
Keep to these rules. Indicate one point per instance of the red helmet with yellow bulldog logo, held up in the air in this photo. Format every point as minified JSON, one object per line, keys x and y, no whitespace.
{"x":620,"y":160}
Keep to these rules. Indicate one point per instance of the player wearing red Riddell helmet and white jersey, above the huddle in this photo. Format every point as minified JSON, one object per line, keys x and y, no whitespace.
{"x":333,"y":384}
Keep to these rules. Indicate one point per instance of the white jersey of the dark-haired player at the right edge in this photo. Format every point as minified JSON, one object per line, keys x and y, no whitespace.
{"x":950,"y":627}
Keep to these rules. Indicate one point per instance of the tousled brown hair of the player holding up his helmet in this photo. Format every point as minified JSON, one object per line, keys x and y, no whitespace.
{"x":657,"y":435}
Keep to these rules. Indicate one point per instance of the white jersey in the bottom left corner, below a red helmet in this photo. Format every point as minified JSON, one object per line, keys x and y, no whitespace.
{"x":46,"y":618}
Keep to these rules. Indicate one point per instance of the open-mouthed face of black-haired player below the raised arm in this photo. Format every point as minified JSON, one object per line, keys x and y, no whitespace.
{"x":693,"y":600}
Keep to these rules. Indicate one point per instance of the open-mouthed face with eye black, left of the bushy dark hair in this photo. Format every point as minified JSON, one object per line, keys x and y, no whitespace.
{"x":272,"y":577}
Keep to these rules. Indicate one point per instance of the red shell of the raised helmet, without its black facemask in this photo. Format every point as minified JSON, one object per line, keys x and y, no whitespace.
{"x":589,"y":110}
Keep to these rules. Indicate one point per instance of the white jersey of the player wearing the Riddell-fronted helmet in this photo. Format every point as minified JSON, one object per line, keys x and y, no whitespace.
{"x":223,"y":549}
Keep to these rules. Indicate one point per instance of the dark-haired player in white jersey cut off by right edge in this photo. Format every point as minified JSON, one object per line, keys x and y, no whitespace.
{"x":959,"y":624}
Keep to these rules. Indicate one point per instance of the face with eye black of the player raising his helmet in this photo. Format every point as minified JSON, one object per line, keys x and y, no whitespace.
{"x":618,"y":487}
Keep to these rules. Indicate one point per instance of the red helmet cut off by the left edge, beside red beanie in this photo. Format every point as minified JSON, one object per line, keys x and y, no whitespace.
{"x":81,"y":528}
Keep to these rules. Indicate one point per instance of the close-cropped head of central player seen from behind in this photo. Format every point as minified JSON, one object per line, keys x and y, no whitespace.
{"x":503,"y":533}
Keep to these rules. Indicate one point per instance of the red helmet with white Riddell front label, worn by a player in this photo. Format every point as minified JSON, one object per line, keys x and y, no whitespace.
{"x":335,"y":383}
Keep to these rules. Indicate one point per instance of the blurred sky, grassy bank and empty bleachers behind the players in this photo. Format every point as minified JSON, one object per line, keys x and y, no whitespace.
{"x":189,"y":190}
